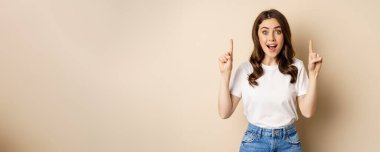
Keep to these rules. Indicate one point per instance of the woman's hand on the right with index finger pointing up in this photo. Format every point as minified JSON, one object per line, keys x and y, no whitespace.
{"x":315,"y":62}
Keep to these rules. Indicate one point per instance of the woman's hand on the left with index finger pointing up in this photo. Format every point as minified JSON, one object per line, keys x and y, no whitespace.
{"x":225,"y":61}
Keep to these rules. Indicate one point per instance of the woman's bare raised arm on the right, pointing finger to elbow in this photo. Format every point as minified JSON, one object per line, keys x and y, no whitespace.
{"x":308,"y":103}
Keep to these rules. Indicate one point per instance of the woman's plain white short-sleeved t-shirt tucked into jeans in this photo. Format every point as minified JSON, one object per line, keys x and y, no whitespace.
{"x":271,"y":104}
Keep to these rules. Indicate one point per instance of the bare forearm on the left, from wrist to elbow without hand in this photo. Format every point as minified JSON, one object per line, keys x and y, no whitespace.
{"x":225,"y":104}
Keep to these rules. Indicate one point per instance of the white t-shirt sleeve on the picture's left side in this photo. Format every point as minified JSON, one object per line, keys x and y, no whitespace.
{"x":239,"y":79}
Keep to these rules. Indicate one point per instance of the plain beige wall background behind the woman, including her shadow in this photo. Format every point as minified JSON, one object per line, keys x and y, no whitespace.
{"x":123,"y":76}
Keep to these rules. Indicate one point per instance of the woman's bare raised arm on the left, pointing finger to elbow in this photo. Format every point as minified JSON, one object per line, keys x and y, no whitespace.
{"x":227,"y":103}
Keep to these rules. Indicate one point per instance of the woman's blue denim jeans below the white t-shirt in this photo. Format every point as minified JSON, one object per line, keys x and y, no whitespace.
{"x":258,"y":139}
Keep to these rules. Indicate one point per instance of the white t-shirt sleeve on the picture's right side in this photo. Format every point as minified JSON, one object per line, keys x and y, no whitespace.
{"x":302,"y":83}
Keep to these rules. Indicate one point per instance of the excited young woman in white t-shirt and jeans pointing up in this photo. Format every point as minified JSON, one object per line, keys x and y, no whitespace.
{"x":271,"y":85}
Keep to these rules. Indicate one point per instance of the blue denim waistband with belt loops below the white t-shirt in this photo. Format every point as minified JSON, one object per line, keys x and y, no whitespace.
{"x":275,"y":132}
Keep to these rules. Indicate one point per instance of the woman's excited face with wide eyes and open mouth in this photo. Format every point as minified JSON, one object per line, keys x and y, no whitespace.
{"x":270,"y":37}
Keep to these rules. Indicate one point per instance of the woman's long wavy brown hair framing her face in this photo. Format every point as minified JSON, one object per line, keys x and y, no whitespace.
{"x":284,"y":58}
